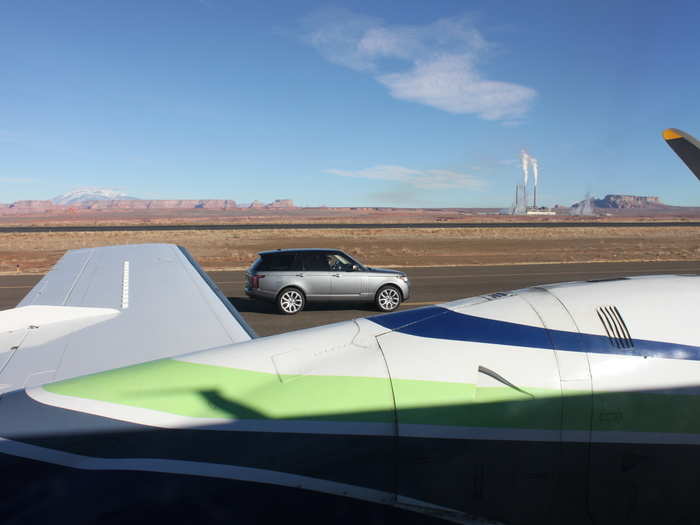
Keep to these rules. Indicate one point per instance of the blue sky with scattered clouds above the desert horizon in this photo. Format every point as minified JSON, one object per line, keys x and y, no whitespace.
{"x":348,"y":104}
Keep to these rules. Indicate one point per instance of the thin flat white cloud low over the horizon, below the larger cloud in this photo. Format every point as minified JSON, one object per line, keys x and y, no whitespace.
{"x":432,"y":179}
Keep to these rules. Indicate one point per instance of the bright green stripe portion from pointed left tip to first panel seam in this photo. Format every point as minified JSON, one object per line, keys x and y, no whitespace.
{"x":206,"y":391}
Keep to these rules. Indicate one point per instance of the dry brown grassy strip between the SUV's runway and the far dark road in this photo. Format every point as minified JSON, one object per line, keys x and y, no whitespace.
{"x":217,"y":250}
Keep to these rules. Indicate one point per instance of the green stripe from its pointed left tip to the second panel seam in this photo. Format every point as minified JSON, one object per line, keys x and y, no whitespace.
{"x":206,"y":391}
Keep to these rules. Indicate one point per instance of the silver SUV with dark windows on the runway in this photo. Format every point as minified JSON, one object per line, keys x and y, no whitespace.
{"x":291,"y":278}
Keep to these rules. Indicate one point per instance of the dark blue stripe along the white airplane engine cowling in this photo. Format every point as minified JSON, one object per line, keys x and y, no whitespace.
{"x":441,"y":323}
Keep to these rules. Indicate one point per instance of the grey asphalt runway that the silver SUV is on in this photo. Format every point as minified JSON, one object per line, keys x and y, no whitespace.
{"x":429,"y":286}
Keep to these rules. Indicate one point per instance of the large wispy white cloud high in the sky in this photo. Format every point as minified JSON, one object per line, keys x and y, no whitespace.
{"x":435,"y":64}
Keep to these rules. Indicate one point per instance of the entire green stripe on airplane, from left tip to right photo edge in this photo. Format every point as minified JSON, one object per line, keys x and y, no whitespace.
{"x":206,"y":391}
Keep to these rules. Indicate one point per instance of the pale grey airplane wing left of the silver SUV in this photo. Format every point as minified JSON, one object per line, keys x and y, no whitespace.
{"x":110,"y":307}
